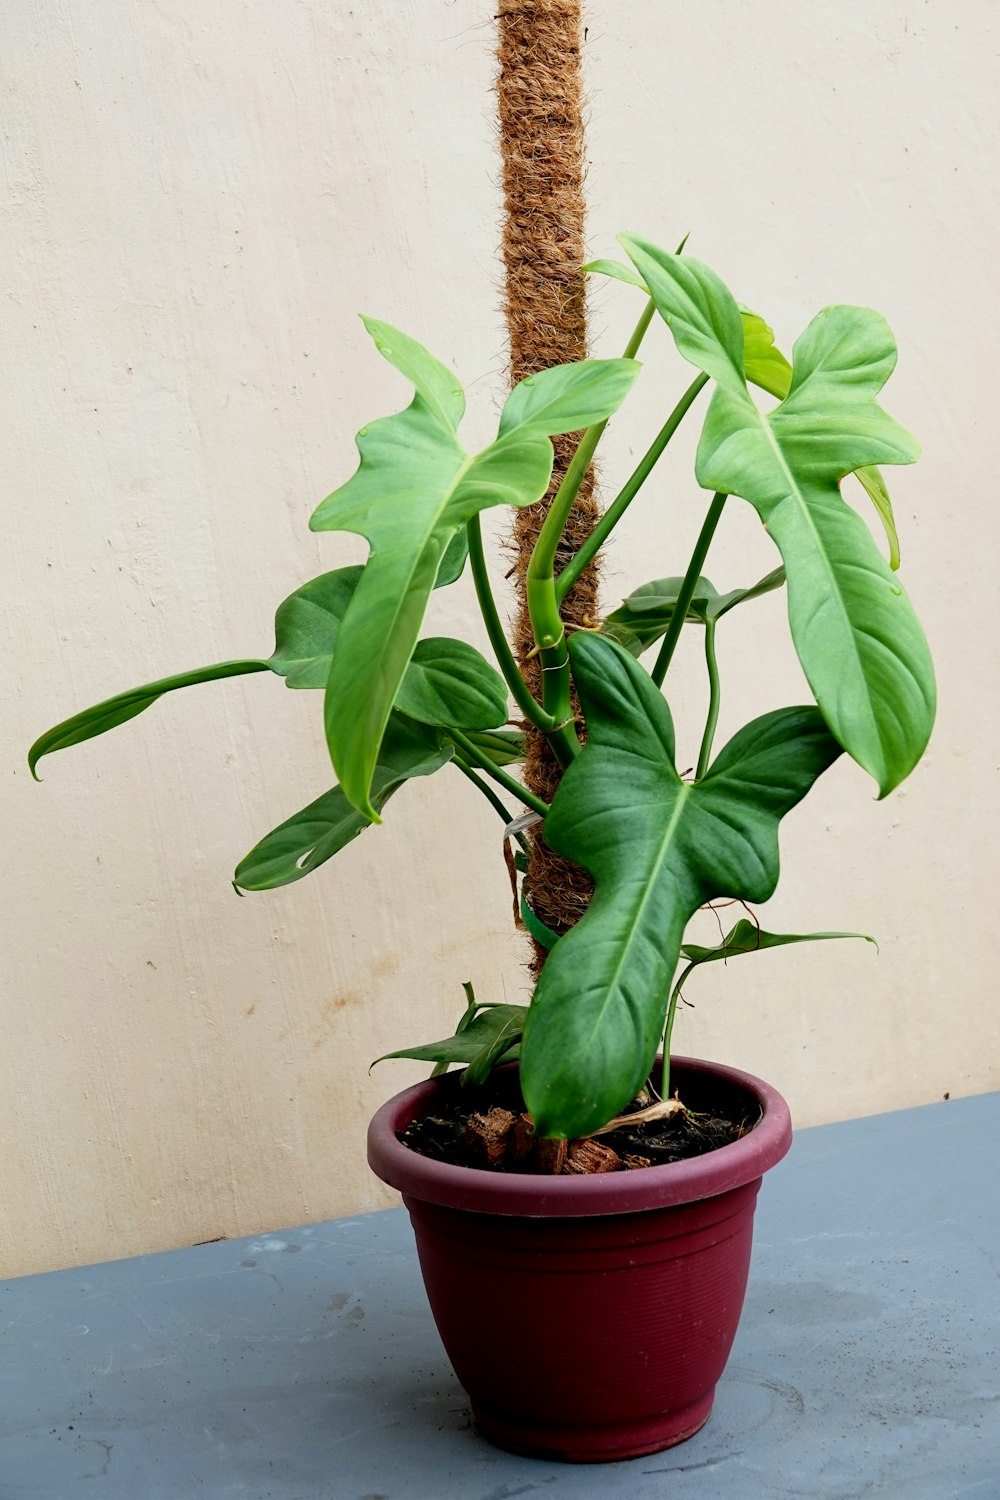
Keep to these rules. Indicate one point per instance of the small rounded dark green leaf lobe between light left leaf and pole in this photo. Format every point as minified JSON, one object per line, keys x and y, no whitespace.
{"x":449,"y":683}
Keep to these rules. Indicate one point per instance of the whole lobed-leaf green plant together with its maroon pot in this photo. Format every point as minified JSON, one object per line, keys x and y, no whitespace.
{"x":588,"y":1310}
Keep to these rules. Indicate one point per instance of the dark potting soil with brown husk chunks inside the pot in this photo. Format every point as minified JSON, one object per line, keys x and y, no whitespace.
{"x":487,"y":1127}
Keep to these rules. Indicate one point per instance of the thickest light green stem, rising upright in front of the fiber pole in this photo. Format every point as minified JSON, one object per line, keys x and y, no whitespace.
{"x":540,"y":586}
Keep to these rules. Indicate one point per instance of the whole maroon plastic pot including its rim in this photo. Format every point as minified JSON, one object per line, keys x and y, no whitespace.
{"x":590,"y":1318}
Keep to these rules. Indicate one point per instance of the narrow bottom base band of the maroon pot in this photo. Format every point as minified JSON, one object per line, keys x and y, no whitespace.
{"x":594,"y":1445}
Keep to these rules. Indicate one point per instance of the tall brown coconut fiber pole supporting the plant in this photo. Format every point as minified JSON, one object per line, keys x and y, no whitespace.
{"x":542,"y":149}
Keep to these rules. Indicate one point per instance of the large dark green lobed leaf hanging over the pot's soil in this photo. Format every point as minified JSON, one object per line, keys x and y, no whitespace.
{"x":657,"y":848}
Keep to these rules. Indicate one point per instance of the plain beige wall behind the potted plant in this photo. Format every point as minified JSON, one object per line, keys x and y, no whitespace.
{"x":199,"y":199}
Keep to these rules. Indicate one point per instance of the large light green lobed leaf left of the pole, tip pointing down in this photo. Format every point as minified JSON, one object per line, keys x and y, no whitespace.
{"x":415,"y":490}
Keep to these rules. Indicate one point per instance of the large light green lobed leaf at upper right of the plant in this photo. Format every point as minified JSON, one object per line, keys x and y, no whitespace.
{"x":855,"y":631}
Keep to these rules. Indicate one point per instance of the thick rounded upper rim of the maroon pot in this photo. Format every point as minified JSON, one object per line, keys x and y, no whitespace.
{"x":510,"y":1193}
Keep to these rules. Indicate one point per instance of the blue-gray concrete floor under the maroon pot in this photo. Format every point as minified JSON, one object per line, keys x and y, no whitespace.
{"x":304,"y":1366}
